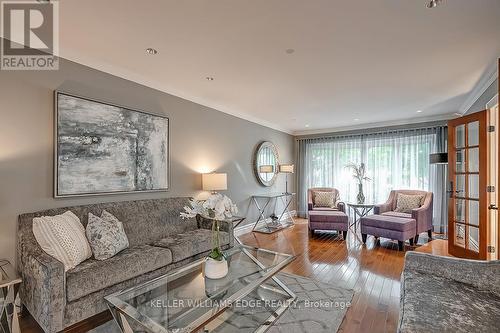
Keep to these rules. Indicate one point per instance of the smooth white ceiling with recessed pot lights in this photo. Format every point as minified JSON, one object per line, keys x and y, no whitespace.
{"x":374,"y":60}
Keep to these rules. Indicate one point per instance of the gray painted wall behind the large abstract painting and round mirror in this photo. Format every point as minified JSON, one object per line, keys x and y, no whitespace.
{"x":201,"y":140}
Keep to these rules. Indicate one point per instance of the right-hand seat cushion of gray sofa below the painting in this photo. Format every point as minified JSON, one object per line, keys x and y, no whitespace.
{"x":190,"y":243}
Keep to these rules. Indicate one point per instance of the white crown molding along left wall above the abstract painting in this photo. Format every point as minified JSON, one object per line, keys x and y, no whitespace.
{"x":137,"y":78}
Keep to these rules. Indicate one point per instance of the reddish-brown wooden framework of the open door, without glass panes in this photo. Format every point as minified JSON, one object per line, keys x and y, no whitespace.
{"x":481,"y":117}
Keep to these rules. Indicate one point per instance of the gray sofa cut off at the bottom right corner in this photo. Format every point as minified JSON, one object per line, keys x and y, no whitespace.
{"x":444,"y":294}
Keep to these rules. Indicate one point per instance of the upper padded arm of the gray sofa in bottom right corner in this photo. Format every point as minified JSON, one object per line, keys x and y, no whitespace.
{"x":484,"y":275}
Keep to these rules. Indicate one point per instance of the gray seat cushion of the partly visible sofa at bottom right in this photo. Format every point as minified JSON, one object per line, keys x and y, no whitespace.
{"x":436,"y":304}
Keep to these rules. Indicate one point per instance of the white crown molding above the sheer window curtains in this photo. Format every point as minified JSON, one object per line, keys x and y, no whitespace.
{"x":446,"y":116}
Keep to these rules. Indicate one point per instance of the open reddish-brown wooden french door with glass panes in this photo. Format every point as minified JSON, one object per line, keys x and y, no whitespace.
{"x":468,"y":203}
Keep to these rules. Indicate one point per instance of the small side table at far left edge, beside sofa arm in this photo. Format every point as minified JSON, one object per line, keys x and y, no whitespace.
{"x":9,"y":287}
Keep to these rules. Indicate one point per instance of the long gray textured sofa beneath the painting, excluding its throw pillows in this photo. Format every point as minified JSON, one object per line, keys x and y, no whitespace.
{"x":159,"y":242}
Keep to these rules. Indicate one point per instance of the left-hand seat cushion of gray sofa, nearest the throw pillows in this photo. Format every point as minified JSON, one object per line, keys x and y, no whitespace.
{"x":93,"y":275}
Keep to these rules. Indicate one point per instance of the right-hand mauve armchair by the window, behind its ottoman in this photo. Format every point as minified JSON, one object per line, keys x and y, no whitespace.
{"x":422,"y":215}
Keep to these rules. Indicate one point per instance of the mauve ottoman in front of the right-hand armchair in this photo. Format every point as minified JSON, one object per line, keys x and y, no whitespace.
{"x":392,"y":227}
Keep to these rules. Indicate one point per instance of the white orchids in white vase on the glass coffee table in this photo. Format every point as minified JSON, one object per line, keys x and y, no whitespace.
{"x":218,"y":208}
